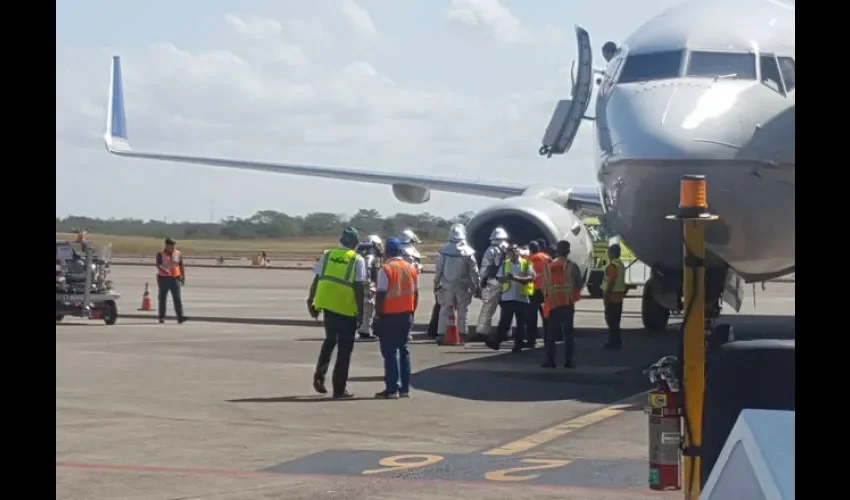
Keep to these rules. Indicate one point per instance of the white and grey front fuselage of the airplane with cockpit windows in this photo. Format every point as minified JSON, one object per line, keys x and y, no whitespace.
{"x":700,"y":97}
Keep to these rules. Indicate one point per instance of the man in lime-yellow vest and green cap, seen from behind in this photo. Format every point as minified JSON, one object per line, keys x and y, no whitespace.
{"x":337,"y":290}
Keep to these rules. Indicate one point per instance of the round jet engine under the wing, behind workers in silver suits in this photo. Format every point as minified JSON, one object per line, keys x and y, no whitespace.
{"x":529,"y":218}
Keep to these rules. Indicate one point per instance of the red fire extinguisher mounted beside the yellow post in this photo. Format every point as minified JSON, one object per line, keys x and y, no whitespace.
{"x":665,"y":426}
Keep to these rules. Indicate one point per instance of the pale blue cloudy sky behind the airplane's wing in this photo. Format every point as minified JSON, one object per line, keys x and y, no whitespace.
{"x":455,"y":88}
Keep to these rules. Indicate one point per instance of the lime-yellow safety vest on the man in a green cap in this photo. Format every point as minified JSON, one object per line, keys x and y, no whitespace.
{"x":335,"y":288}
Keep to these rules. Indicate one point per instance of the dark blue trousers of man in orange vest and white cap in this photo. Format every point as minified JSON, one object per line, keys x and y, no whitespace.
{"x":393,"y":332}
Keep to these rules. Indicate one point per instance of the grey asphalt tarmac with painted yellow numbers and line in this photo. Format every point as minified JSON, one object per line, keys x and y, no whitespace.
{"x":222,"y":406}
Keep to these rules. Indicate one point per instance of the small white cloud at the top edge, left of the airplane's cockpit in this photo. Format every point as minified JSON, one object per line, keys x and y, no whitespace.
{"x":497,"y":21}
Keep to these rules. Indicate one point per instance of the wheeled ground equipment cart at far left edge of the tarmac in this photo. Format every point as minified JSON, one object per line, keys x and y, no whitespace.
{"x":82,"y":287}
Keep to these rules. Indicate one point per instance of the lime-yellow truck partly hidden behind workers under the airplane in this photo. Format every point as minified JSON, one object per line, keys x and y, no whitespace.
{"x":637,"y":273}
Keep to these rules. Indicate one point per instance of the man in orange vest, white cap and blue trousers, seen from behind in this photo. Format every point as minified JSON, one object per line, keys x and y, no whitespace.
{"x":397,"y":298}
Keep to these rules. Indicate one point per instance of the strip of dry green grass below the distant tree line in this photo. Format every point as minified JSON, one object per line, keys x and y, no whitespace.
{"x":292,"y":249}
